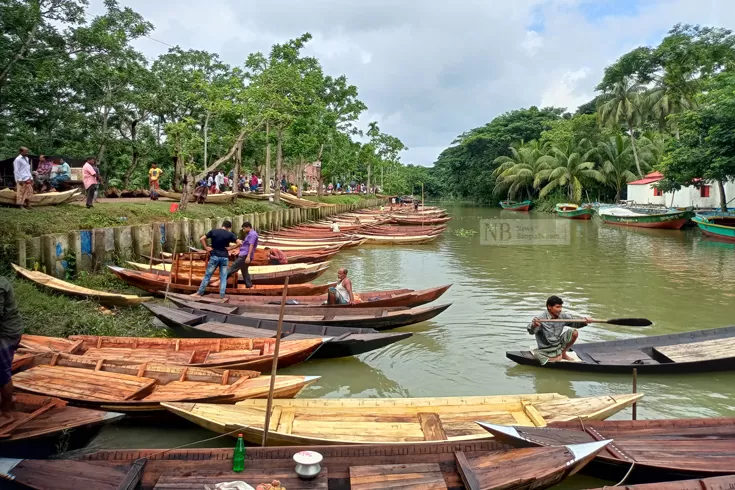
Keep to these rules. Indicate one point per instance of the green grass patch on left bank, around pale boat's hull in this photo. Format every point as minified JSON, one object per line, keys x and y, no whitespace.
{"x":48,"y":313}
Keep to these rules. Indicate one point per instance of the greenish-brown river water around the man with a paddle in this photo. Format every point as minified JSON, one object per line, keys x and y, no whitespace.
{"x":678,"y":279}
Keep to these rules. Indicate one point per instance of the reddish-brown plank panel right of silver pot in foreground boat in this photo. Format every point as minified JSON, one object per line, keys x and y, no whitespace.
{"x":419,"y":476}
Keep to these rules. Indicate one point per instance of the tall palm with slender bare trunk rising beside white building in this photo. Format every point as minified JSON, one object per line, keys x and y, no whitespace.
{"x":624,"y":104}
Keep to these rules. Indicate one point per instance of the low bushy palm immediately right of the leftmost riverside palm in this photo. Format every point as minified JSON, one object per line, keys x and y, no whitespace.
{"x":568,"y":168}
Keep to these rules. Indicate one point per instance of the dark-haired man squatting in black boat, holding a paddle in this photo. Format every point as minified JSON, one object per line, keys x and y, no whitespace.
{"x":553,"y":341}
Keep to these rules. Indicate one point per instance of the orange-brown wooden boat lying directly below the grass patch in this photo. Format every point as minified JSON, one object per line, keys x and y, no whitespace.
{"x":252,"y":353}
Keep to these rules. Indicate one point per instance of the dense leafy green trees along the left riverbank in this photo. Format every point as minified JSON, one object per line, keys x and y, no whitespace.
{"x":73,"y":85}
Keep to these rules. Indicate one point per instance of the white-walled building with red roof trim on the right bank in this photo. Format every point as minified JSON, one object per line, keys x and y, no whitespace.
{"x":708,"y":196}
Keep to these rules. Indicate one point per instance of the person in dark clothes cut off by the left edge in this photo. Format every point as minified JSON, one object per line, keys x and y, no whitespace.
{"x":11,"y":329}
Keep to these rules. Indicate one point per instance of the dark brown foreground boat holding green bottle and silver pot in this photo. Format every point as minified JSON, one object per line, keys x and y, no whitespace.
{"x":482,"y":465}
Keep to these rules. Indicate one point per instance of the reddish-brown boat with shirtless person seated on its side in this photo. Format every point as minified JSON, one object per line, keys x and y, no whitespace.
{"x":367,"y":299}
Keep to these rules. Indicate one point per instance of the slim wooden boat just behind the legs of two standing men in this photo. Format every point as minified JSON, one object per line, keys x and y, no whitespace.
{"x":192,"y":272}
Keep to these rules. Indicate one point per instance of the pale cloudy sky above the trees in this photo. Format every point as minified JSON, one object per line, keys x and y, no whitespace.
{"x":430,"y":70}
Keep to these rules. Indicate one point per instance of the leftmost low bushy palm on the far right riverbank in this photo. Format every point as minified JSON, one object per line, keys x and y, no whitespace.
{"x":519,"y":171}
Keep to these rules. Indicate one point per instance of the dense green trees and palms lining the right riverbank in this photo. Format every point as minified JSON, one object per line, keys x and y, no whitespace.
{"x":669,"y":108}
